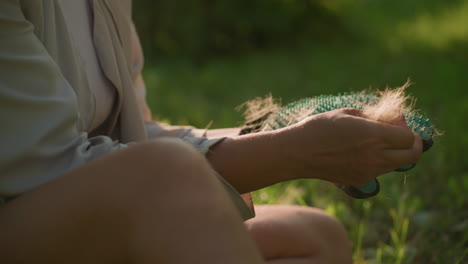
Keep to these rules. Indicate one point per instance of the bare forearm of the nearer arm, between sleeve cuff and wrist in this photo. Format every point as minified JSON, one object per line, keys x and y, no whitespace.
{"x":250,"y":162}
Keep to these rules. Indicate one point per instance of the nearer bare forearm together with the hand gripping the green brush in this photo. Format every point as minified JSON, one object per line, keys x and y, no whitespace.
{"x":338,"y":146}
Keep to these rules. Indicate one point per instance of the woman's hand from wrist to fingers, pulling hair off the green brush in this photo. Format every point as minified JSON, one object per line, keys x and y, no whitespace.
{"x":340,"y":146}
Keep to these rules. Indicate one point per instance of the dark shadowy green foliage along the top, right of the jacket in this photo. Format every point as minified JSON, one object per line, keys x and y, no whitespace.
{"x":205,"y":28}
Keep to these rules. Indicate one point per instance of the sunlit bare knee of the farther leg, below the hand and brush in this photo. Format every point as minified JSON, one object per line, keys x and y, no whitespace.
{"x":299,"y":235}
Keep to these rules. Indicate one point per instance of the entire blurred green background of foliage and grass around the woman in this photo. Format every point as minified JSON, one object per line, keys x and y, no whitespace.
{"x":207,"y":57}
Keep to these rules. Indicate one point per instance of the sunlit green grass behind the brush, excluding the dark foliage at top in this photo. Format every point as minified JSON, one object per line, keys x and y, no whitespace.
{"x":420,"y":216}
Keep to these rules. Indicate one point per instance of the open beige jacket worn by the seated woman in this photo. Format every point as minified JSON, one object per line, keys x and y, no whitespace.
{"x":47,"y":106}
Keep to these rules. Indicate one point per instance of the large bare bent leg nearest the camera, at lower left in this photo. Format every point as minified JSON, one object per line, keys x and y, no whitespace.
{"x":154,"y":203}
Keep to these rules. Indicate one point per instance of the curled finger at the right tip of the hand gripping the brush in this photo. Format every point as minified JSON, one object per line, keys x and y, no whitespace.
{"x":403,"y":157}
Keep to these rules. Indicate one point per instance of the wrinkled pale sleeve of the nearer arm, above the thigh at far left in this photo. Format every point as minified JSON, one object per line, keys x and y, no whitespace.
{"x":39,"y":114}
